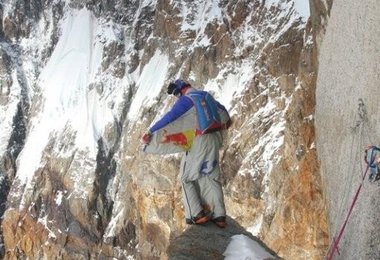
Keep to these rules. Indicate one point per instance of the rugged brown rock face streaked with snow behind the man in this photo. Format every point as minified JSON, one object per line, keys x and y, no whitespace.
{"x":75,"y":180}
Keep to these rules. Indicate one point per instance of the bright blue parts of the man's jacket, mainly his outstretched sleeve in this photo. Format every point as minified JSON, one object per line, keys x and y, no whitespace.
{"x":181,"y":106}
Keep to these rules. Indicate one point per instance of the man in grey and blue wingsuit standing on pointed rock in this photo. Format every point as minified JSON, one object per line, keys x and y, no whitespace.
{"x":194,"y":124}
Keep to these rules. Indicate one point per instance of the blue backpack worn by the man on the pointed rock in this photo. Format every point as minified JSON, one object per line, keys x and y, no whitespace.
{"x":208,"y":118}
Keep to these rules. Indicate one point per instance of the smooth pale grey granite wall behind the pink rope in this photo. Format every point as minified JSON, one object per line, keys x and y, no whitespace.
{"x":348,"y":76}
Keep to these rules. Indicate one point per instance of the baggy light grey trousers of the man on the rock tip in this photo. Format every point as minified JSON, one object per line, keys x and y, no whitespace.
{"x":200,"y":172}
